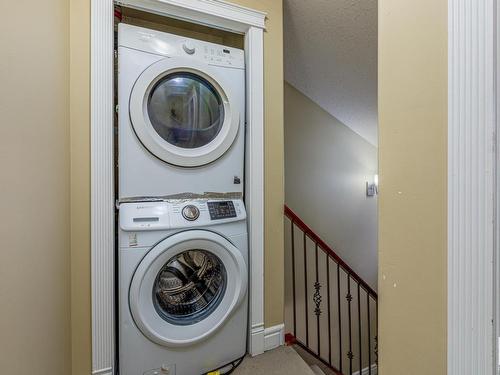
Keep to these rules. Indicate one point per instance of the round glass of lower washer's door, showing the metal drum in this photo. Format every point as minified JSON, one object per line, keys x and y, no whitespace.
{"x":189,"y":287}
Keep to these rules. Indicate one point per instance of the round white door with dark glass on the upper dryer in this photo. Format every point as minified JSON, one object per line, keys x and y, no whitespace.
{"x":182,"y":112}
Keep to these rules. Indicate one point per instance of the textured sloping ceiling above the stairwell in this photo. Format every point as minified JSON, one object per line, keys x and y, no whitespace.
{"x":331,"y":56}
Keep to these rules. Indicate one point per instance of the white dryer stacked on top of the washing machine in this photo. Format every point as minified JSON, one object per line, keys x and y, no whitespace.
{"x":181,"y":124}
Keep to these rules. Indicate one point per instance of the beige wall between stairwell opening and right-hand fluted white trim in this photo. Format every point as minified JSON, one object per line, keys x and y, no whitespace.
{"x":412,"y":201}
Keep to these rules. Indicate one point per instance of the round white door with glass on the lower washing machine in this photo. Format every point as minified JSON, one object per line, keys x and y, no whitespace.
{"x":186,"y":287}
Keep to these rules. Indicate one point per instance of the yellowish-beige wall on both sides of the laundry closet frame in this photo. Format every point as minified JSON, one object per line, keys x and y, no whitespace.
{"x":80,"y":179}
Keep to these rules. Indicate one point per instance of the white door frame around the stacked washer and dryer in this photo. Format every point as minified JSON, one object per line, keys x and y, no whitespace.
{"x":215,"y":13}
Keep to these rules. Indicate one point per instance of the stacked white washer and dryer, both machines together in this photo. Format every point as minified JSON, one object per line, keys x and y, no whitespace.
{"x":183,"y":248}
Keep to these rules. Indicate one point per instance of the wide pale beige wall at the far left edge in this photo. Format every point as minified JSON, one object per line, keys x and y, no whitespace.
{"x":34,"y":160}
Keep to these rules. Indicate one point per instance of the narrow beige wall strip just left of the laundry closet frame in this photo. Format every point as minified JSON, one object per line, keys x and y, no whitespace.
{"x":81,"y":352}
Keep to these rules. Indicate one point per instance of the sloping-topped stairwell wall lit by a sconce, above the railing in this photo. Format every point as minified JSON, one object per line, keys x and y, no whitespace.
{"x":326,"y":169}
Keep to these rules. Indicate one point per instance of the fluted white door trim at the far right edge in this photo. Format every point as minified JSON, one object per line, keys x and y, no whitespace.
{"x":472,"y":186}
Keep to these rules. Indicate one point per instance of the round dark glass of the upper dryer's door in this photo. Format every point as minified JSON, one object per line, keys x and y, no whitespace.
{"x":185,"y":110}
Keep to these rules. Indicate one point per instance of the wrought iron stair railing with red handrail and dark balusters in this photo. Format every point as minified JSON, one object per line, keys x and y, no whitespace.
{"x":330,"y":311}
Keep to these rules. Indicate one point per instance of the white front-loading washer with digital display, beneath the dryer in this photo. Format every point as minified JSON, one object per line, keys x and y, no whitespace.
{"x":182,"y":286}
